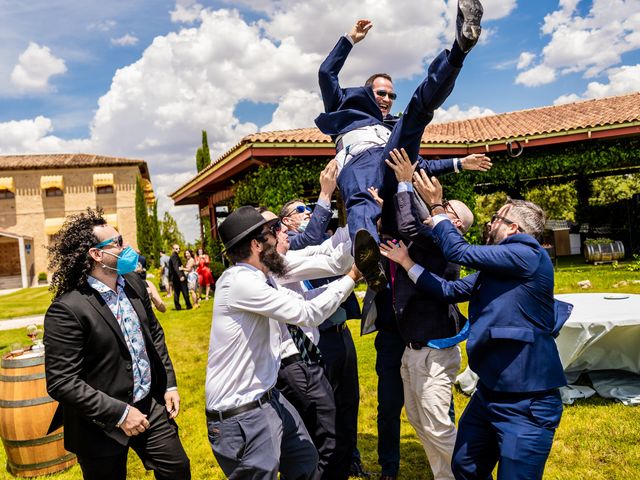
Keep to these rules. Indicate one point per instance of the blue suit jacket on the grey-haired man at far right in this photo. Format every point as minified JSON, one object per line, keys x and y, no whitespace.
{"x":511,"y":310}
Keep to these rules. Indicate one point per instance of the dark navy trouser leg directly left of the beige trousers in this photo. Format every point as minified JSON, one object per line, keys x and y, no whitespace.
{"x":389,"y":348}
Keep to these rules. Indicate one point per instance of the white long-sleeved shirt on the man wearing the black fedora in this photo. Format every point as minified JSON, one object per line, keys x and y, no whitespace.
{"x":244,"y":346}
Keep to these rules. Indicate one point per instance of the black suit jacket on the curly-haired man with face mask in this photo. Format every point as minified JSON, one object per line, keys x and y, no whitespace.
{"x":89,"y":367}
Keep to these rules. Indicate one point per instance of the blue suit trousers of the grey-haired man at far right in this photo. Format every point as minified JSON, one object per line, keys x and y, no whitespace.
{"x":514,"y":430}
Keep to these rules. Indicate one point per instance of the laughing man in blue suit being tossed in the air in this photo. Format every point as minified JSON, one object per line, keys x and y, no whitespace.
{"x":359,"y":121}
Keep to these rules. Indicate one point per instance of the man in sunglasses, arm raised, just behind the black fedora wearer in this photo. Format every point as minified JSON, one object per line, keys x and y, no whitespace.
{"x":305,"y":227}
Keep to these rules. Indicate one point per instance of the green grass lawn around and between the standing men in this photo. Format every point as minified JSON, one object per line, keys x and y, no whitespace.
{"x":598,"y":439}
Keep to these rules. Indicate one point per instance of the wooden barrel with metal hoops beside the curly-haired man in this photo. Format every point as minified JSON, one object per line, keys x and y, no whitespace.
{"x":25,"y":414}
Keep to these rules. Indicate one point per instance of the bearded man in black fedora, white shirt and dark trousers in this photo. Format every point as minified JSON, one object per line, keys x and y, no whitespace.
{"x":253,"y":430}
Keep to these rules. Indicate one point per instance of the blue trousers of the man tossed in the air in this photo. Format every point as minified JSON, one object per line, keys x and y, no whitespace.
{"x":368,"y":168}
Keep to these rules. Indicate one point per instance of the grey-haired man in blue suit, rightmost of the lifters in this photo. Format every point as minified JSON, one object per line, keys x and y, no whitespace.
{"x":512,"y":417}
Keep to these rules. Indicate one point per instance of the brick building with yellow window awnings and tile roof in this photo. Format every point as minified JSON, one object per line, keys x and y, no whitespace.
{"x":37,"y":192}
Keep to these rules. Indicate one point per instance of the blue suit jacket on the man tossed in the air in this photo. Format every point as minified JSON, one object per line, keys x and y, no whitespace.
{"x":350,"y":108}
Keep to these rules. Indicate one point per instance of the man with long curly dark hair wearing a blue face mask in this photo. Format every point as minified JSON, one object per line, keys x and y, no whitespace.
{"x":106,"y":359}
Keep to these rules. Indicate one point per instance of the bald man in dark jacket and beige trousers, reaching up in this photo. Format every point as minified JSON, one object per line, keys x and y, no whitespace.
{"x":430,"y":329}
